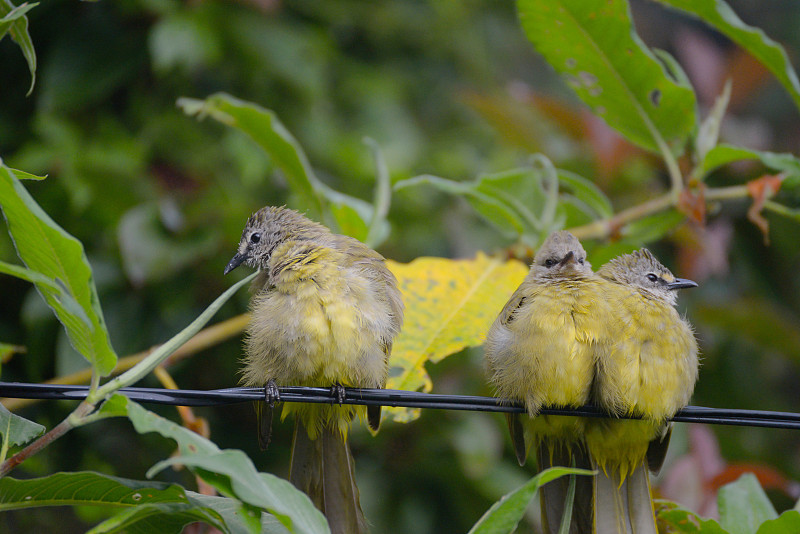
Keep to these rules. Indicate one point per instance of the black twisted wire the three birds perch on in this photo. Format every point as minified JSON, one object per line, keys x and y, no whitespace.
{"x":387,"y":397}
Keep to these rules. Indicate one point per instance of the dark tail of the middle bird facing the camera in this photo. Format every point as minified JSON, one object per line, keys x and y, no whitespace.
{"x":554,"y":496}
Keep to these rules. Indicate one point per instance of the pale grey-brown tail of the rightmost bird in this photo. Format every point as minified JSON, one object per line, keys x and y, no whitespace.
{"x":623,"y":507}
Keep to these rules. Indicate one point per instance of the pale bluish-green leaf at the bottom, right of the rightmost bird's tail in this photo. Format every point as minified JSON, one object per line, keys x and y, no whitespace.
{"x":743,"y":505}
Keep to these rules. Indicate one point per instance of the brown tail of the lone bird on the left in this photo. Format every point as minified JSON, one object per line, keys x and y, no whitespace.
{"x":324,"y":469}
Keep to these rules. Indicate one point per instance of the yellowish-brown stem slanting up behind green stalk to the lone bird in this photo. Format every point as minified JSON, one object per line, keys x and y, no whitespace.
{"x":208,"y":337}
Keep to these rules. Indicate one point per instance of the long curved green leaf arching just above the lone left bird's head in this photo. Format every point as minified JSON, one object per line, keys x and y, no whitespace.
{"x":314,"y":197}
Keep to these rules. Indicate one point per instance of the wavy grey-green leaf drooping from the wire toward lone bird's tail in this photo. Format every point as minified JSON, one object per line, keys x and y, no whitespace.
{"x":232,"y":473}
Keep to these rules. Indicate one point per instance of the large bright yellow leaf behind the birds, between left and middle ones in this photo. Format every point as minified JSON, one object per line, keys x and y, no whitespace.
{"x":450,"y":305}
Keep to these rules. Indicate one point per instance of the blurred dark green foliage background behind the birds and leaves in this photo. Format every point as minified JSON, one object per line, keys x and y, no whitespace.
{"x":446,"y":88}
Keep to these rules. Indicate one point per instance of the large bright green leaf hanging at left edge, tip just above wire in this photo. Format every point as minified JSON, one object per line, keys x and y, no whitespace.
{"x":47,"y":249}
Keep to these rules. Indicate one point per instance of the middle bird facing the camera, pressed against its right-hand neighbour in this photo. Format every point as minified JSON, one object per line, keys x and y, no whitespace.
{"x":541,"y":351}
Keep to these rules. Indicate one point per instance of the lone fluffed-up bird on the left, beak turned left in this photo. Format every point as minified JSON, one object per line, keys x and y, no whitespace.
{"x":325,"y":311}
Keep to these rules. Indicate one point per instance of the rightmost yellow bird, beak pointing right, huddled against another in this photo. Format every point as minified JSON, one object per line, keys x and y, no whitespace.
{"x":648,"y":369}
